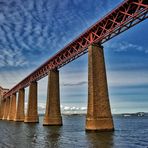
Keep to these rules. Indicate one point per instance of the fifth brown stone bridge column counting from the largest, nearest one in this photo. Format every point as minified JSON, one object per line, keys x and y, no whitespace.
{"x":12,"y":108}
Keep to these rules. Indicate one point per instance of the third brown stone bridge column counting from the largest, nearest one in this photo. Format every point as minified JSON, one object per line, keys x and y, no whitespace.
{"x":32,"y":111}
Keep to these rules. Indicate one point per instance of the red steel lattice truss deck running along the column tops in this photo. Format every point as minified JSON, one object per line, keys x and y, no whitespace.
{"x":125,"y":16}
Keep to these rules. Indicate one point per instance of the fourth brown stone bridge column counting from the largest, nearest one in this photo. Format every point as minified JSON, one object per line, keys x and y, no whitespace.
{"x":19,"y":116}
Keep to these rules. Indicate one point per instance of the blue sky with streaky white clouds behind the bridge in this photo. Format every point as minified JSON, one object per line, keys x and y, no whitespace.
{"x":32,"y":31}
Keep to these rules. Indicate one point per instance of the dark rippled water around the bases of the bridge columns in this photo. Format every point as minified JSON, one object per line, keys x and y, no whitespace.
{"x":130,"y":132}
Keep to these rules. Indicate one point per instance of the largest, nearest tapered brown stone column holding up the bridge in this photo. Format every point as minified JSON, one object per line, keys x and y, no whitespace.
{"x":98,"y":112}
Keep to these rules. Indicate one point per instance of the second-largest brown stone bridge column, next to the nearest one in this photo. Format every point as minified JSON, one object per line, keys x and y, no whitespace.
{"x":53,"y":113}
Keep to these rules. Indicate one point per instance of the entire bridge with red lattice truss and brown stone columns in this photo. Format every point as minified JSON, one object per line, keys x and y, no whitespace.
{"x":124,"y":16}
